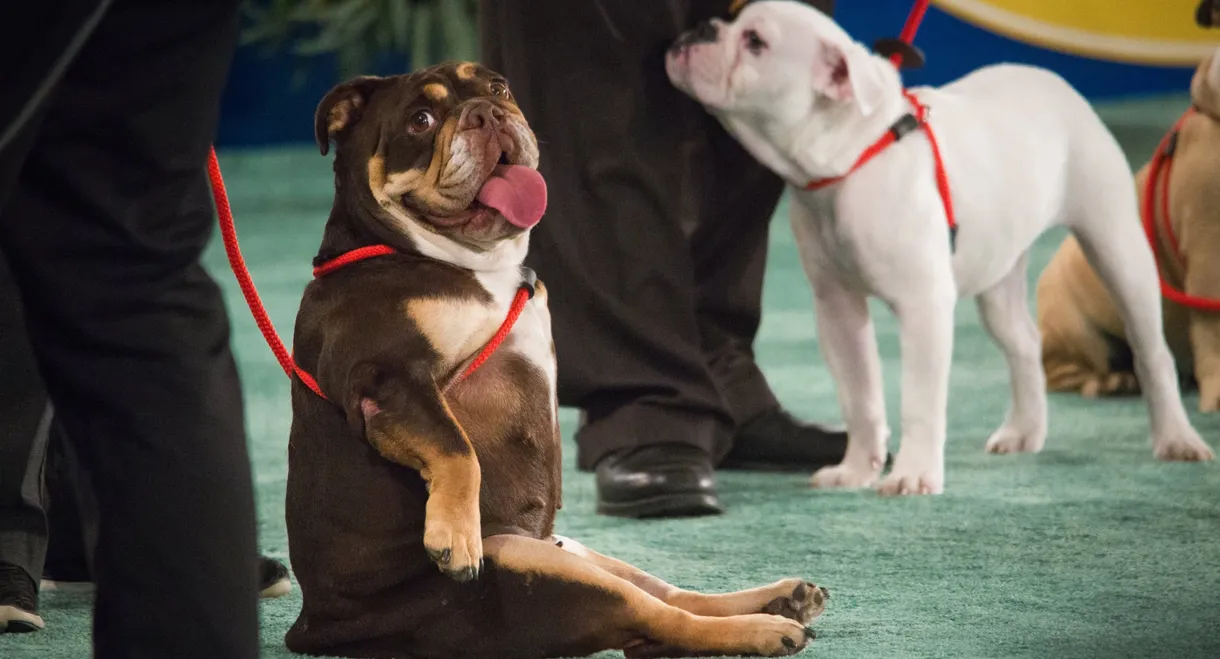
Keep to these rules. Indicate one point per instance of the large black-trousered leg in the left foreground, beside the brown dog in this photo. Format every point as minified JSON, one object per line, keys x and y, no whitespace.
{"x":106,"y":232}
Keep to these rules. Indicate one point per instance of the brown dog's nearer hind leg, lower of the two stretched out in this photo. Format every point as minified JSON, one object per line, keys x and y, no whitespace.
{"x":556,"y":603}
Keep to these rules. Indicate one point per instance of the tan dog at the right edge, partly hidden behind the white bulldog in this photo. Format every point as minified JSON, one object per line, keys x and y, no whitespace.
{"x":1084,"y":346}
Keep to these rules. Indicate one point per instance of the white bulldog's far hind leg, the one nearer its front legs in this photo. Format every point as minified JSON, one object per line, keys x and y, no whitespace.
{"x":1006,"y":315}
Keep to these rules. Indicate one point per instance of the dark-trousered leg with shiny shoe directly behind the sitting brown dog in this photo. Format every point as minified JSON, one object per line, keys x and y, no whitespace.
{"x":612,"y":248}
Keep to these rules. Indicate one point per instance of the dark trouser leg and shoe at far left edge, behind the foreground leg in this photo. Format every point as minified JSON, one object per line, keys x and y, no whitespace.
{"x":25,"y":419}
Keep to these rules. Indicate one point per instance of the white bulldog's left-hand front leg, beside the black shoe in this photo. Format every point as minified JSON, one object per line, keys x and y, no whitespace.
{"x":850,"y":346}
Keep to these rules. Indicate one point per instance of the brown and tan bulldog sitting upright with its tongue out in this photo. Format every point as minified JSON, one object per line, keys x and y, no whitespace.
{"x":424,"y":481}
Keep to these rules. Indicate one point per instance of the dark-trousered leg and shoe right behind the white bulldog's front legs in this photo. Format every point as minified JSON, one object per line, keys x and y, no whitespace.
{"x":737,"y":200}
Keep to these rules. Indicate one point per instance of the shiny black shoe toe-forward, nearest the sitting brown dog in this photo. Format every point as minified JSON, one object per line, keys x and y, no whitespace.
{"x":658,"y":481}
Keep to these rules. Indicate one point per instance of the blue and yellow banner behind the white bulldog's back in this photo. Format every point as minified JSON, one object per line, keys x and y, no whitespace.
{"x":1105,"y":48}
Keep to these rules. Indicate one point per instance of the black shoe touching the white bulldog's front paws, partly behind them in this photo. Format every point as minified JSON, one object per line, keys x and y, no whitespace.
{"x":775,"y":441}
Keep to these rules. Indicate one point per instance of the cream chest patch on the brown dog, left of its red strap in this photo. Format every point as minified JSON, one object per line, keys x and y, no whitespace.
{"x":457,"y":329}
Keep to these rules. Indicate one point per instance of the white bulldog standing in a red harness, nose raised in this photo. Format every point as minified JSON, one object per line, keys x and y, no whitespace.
{"x":1022,"y":151}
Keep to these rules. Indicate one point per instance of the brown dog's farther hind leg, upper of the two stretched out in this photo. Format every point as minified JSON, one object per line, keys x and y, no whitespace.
{"x":794,"y":599}
